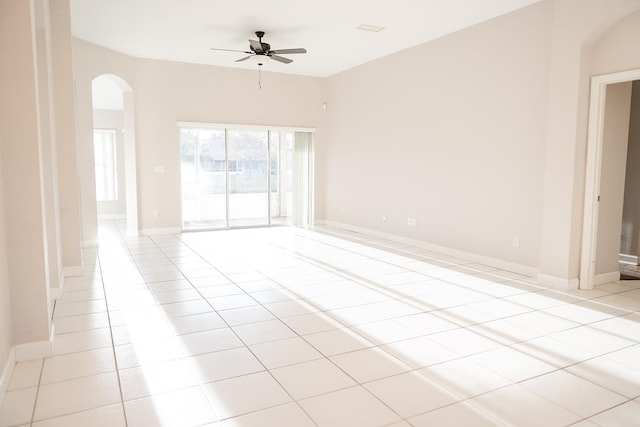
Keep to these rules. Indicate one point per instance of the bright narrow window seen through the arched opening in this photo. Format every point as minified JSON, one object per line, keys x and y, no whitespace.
{"x":104,"y":149}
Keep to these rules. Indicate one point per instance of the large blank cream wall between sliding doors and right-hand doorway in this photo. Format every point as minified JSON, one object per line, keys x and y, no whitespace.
{"x":451,"y":133}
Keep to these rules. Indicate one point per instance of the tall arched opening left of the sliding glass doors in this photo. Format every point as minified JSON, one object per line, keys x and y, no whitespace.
{"x":114,"y":150}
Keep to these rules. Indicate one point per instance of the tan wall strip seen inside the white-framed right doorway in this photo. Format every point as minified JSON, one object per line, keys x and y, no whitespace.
{"x":612,"y":183}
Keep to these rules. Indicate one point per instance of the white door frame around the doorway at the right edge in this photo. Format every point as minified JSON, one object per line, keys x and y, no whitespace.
{"x":595,"y":141}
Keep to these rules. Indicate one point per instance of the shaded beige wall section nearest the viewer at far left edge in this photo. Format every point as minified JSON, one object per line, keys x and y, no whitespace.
{"x":22,"y":179}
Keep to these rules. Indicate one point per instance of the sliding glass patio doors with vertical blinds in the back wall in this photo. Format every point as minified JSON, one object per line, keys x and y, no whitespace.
{"x":233,"y":177}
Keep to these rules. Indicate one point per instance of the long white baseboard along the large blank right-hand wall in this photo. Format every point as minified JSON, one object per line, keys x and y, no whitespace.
{"x":481,"y":259}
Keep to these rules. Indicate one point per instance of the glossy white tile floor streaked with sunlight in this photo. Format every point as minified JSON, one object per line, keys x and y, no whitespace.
{"x":289,"y":327}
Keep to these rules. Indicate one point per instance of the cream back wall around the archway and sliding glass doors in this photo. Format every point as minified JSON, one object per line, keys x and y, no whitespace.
{"x":167,"y":92}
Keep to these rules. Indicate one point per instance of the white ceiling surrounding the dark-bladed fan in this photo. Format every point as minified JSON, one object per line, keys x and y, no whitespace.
{"x":185,"y":30}
